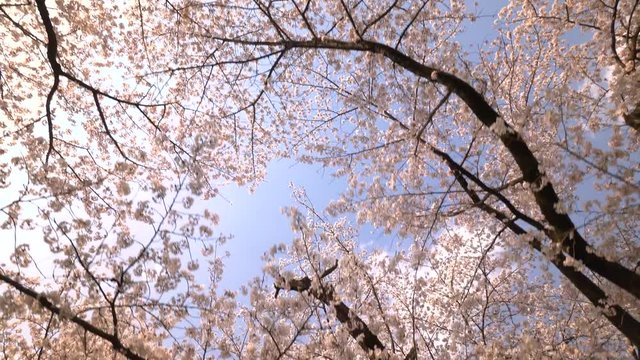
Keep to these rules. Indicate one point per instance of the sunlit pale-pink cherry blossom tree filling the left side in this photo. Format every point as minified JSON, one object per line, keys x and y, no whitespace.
{"x":99,"y":174}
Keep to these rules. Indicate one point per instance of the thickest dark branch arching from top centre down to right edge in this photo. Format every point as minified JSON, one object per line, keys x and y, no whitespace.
{"x":563,"y":231}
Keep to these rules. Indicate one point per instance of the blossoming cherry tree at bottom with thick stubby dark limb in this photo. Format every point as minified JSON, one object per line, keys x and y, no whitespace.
{"x":468,"y":302}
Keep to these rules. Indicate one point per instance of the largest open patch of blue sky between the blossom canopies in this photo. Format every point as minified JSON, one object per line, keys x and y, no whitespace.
{"x":255,"y":219}
